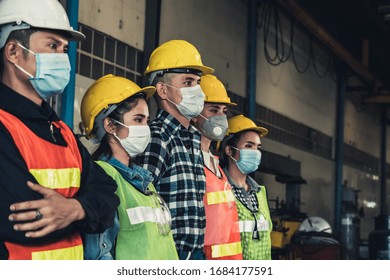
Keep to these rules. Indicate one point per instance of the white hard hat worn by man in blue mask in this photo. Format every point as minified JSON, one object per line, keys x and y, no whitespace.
{"x":23,"y":14}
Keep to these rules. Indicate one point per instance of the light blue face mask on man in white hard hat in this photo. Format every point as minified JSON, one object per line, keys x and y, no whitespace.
{"x":52,"y":73}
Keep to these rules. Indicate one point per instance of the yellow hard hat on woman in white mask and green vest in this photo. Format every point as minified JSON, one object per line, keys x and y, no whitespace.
{"x":102,"y":98}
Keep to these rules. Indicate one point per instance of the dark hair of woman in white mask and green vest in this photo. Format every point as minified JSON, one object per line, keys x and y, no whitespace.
{"x":125,"y":106}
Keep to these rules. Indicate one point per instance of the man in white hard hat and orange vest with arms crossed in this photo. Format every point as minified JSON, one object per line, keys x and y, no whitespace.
{"x":50,"y":189}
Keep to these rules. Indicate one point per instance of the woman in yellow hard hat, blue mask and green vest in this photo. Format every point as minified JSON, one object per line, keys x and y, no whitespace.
{"x":241,"y":155}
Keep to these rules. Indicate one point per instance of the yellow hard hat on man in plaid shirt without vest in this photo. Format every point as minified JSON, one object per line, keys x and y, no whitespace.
{"x":176,"y":56}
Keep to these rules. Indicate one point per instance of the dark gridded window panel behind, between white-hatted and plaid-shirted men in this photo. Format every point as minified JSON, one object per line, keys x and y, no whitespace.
{"x":100,"y":54}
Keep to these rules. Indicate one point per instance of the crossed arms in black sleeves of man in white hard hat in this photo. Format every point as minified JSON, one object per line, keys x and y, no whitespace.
{"x":91,"y":210}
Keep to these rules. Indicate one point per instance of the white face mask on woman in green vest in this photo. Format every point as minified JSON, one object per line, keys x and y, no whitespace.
{"x":137,"y":139}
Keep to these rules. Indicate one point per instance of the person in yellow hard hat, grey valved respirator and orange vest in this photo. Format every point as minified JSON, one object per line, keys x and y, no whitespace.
{"x":222,"y":237}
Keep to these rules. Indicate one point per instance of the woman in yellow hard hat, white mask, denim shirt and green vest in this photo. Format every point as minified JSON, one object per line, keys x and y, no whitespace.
{"x":115,"y":114}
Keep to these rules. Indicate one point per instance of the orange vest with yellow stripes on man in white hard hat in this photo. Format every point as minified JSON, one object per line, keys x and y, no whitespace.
{"x":55,"y":167}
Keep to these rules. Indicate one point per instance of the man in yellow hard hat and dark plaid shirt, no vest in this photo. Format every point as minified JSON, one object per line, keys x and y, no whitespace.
{"x":174,"y":156}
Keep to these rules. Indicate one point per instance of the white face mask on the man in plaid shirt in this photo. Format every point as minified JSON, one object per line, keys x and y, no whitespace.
{"x":192,"y":102}
